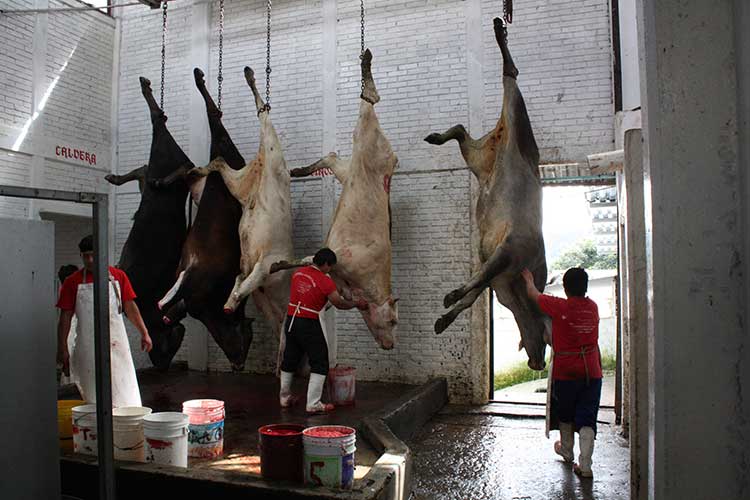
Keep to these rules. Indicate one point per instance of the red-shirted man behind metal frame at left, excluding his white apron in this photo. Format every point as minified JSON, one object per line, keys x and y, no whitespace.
{"x":68,"y":296}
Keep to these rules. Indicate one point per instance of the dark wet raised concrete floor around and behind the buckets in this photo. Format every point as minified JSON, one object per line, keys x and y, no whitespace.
{"x":251,"y":402}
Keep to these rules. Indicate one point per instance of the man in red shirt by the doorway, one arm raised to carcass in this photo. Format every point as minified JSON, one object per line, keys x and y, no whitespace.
{"x":576,"y":366}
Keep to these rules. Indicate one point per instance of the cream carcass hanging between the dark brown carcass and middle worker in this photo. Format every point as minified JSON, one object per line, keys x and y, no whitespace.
{"x":265,"y":228}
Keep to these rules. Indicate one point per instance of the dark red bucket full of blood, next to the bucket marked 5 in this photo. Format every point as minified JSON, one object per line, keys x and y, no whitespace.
{"x":281,"y":452}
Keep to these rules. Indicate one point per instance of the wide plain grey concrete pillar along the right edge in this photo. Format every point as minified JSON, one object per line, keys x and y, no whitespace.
{"x":695,"y":228}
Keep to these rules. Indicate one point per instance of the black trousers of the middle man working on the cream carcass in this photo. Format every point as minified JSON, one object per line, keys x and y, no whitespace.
{"x":305,"y":337}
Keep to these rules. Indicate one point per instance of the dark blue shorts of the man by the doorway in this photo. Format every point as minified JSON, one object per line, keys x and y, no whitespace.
{"x":575,"y":401}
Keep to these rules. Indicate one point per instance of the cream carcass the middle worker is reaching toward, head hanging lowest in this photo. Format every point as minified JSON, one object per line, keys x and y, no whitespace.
{"x":360,"y":232}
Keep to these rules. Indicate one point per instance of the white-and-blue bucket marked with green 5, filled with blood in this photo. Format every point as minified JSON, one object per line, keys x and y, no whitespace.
{"x":329,"y":455}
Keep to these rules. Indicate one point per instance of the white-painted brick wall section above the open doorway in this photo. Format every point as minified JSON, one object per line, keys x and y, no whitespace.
{"x":563,"y":52}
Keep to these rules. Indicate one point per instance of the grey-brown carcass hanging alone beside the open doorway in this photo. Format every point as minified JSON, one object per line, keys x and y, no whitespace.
{"x":508,"y":212}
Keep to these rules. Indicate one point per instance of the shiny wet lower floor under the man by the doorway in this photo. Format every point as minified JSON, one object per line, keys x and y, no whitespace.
{"x":463,"y":456}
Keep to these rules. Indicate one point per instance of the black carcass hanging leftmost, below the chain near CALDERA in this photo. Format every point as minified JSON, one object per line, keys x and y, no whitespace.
{"x":152,"y":251}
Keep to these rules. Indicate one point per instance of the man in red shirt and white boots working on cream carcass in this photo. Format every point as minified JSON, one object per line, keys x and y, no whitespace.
{"x":311,"y":290}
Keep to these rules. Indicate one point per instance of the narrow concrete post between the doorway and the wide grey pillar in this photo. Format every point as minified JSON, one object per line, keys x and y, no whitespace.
{"x":635,"y":277}
